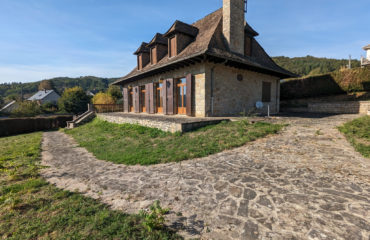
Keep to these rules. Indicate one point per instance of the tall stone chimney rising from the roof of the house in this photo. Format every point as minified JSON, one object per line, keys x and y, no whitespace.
{"x":233,"y":24}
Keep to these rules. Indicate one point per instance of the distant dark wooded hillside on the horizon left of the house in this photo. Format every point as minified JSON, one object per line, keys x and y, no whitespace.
{"x":61,"y":83}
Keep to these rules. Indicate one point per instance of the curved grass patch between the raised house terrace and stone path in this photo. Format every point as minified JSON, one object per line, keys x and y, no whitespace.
{"x":134,"y":144}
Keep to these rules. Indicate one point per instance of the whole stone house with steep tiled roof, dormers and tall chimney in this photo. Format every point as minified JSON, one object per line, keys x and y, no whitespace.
{"x":213,"y":67}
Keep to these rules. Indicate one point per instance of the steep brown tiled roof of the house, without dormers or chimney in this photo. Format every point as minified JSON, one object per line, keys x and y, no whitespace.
{"x":209,"y":42}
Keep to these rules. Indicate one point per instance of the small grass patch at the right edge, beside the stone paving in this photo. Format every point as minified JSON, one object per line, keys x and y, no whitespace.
{"x":358,"y":134}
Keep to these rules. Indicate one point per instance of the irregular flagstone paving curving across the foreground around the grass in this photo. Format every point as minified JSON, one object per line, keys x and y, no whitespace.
{"x":304,"y":183}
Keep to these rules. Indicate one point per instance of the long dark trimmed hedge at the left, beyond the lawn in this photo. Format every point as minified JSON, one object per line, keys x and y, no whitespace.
{"x":12,"y":126}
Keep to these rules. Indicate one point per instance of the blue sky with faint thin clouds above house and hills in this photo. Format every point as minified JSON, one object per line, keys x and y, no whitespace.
{"x":42,"y":39}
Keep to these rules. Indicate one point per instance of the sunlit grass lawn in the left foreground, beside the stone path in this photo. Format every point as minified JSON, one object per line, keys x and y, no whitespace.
{"x":30,"y":208}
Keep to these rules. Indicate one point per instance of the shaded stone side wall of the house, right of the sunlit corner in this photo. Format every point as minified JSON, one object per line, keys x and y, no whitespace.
{"x":232,"y":97}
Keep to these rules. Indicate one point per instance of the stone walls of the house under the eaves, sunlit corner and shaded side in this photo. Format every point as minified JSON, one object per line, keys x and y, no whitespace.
{"x":218,"y":92}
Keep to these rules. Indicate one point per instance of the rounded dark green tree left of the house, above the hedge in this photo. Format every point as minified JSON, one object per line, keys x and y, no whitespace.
{"x":74,"y":100}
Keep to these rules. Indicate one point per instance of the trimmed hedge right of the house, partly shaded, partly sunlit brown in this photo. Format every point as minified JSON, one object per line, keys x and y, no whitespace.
{"x":339,"y":82}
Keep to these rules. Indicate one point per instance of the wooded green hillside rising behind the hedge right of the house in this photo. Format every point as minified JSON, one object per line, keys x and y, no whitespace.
{"x":309,"y":65}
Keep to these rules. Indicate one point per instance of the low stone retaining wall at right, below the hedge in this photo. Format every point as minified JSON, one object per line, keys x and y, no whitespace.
{"x":361,"y":107}
